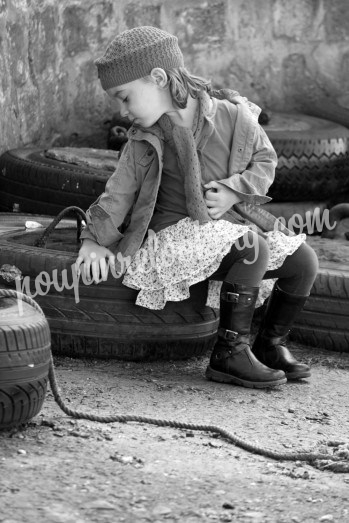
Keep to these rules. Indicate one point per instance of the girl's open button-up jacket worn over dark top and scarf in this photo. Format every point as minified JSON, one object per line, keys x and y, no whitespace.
{"x":120,"y":217}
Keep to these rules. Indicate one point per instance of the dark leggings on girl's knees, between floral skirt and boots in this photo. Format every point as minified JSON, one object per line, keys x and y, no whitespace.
{"x":247,"y":262}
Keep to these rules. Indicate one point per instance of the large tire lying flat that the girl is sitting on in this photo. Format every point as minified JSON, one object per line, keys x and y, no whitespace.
{"x":106,"y":323}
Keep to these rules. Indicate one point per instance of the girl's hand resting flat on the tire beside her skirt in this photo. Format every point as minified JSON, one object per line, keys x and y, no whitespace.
{"x":92,"y":261}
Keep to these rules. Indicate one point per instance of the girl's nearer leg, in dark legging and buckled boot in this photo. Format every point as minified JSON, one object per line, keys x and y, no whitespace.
{"x":232,"y":360}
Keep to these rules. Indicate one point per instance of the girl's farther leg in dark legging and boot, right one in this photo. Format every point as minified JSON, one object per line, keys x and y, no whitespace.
{"x":295,"y":279}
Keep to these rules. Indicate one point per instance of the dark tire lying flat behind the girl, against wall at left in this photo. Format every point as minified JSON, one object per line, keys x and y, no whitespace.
{"x":44,"y":185}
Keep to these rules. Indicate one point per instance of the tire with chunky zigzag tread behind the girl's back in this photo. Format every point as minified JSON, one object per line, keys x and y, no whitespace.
{"x":313,"y":157}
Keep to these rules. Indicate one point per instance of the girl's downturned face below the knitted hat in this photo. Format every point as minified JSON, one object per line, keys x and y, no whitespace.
{"x":142,"y":101}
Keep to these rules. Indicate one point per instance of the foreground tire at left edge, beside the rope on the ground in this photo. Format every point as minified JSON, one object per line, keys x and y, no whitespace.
{"x":24,"y":361}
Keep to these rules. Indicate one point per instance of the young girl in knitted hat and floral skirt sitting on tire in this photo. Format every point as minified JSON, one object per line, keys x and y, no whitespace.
{"x":184,"y":206}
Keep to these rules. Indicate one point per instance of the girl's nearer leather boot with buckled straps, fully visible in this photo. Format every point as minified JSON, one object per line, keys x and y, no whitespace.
{"x":232,"y":360}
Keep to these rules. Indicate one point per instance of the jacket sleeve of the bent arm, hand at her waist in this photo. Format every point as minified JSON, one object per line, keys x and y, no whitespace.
{"x":252,"y":182}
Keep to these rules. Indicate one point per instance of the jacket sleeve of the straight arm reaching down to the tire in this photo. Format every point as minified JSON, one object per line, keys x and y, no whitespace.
{"x":108,"y":212}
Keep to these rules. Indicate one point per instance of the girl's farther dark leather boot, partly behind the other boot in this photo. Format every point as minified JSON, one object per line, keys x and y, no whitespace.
{"x":269,"y":345}
